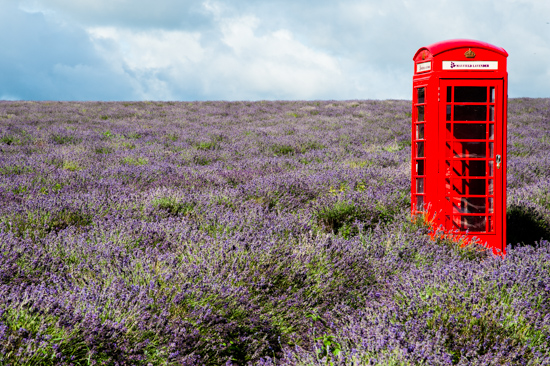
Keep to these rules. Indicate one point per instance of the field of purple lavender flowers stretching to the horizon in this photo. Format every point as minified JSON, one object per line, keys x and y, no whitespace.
{"x":255,"y":232}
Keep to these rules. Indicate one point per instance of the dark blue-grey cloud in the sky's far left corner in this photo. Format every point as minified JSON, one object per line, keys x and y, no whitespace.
{"x":43,"y":60}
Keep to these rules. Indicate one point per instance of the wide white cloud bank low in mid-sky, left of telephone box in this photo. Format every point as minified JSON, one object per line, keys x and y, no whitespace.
{"x":238,"y":64}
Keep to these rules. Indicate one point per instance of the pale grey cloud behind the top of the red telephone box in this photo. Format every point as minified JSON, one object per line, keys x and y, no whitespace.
{"x":385,"y":35}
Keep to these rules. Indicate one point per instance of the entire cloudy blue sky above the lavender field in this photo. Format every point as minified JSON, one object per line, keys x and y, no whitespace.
{"x":111,"y":50}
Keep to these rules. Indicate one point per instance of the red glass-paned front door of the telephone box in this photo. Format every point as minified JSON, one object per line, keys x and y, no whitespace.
{"x":471,"y":166}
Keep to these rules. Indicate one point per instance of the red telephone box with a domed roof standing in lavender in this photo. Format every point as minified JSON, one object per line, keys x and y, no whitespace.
{"x":459,"y":139}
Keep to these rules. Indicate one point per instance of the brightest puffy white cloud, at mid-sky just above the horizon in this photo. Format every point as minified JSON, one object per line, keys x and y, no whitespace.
{"x":277,"y":61}
